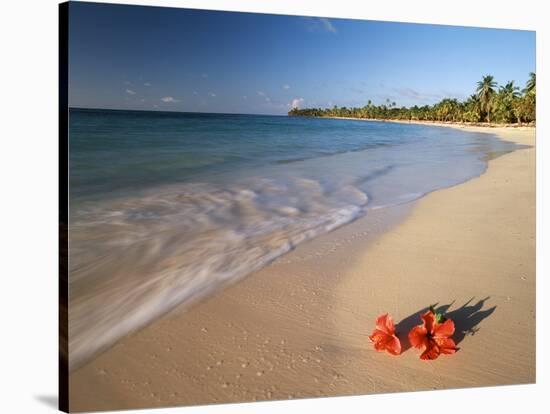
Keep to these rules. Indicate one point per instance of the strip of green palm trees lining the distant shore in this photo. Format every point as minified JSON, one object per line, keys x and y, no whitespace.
{"x":491,"y":103}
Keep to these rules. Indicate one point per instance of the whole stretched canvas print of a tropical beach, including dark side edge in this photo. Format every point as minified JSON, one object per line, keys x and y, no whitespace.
{"x":263,"y":207}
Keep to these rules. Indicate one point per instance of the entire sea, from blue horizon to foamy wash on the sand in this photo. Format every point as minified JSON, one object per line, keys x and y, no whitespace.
{"x":167,"y":207}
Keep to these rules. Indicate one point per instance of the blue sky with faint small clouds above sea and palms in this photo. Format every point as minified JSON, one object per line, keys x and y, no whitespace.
{"x":170,"y":59}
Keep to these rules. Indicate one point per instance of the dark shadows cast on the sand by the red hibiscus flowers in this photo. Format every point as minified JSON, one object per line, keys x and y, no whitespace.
{"x":466,"y":319}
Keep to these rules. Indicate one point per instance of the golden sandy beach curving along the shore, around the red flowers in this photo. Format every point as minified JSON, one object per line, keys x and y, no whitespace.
{"x":299,"y":327}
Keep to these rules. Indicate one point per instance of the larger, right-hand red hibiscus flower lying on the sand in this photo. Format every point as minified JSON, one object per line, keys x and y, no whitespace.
{"x":434,"y":335}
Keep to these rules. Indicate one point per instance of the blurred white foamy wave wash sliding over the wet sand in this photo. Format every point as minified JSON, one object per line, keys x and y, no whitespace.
{"x":137,"y":258}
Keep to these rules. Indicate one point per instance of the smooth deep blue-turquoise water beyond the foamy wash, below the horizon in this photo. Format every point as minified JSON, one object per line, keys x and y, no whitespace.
{"x":122,"y":151}
